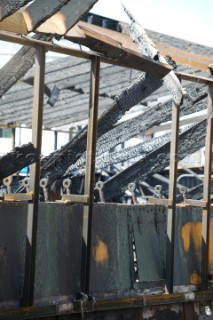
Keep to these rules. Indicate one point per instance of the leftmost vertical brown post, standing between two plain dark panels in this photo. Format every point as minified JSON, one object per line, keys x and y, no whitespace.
{"x":32,"y":219}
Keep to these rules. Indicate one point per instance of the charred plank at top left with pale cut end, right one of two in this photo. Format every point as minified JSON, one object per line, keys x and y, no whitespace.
{"x":67,"y":17}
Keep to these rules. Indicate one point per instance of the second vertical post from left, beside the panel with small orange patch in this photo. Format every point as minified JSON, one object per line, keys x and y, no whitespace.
{"x":90,"y":173}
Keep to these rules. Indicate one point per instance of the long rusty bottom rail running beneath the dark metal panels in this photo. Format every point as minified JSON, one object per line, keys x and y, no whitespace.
{"x":77,"y":307}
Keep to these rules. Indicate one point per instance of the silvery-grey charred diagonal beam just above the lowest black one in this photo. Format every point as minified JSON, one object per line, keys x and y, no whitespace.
{"x":195,"y":100}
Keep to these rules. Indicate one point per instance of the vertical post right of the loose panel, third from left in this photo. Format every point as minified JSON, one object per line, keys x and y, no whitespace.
{"x":170,"y":243}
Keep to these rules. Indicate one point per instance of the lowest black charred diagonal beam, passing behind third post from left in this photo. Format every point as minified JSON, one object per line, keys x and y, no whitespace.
{"x":189,"y":142}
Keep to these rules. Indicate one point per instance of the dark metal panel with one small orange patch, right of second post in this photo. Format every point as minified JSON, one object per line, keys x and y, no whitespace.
{"x":110,"y":258}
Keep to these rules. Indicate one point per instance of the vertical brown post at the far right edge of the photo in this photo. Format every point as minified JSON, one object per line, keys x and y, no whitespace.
{"x":207,"y":190}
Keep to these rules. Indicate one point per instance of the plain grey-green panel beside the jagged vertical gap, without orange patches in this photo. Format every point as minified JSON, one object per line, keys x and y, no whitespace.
{"x":149,"y":226}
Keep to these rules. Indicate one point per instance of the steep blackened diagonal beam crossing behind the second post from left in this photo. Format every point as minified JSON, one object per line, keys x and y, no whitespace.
{"x":59,"y":162}
